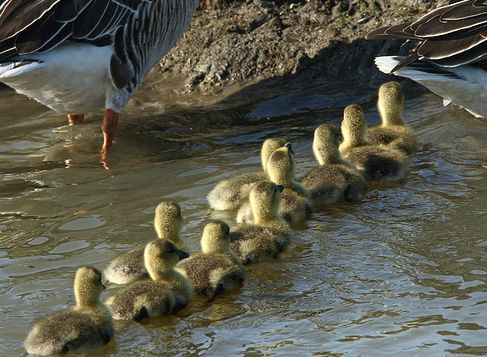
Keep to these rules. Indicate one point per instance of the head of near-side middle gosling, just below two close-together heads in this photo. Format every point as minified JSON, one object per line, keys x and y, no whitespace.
{"x":265,"y":197}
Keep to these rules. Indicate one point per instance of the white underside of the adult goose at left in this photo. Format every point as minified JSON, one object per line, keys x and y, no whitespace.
{"x":71,"y":78}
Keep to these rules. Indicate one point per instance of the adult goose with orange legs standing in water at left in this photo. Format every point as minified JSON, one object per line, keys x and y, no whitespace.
{"x":75,"y":56}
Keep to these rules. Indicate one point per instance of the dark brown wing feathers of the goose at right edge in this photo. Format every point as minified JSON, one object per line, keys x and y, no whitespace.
{"x":449,"y":36}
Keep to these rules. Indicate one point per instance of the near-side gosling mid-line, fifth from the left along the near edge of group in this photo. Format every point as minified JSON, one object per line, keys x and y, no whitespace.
{"x":269,"y":234}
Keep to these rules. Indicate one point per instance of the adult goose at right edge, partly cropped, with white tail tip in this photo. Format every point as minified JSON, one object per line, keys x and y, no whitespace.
{"x":450,"y":58}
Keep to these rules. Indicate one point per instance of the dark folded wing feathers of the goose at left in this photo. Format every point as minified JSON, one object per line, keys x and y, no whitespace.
{"x":28,"y":26}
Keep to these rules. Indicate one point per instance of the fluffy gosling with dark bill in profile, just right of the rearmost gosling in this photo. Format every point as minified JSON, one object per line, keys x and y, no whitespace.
{"x":166,"y":292}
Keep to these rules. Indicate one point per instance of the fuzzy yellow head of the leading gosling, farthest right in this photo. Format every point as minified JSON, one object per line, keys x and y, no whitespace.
{"x":391,"y":103}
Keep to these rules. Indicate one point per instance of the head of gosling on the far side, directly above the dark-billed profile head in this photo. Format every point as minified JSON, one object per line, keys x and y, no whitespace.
{"x":168,"y":220}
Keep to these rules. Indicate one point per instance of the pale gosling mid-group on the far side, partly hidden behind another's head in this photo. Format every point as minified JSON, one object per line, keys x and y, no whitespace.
{"x":231,"y":193}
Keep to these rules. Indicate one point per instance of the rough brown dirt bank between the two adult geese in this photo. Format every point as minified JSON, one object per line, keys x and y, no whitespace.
{"x":234,"y":43}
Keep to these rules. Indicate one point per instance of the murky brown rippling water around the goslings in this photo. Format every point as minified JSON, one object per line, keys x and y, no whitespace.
{"x":402,"y":272}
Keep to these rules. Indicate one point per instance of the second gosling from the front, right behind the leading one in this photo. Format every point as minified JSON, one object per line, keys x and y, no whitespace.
{"x":378,"y":163}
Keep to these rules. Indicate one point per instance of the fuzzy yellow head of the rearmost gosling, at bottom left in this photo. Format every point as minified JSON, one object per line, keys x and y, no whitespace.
{"x":87,"y":286}
